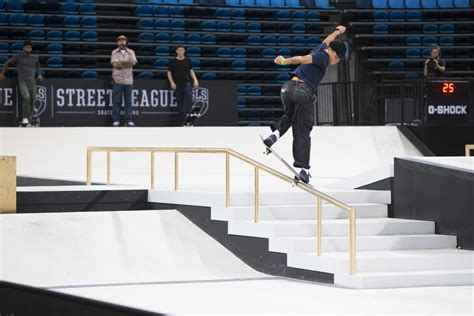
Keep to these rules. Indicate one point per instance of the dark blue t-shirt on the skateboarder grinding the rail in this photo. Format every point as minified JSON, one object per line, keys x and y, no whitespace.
{"x":313,"y":73}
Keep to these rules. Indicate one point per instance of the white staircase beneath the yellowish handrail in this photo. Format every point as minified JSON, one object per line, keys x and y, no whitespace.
{"x":390,"y":252}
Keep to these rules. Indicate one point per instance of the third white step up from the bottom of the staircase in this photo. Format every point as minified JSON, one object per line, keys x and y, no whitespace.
{"x":364,"y":243}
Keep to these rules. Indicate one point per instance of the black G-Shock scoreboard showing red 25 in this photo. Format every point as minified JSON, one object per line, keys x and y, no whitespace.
{"x":448,"y":103}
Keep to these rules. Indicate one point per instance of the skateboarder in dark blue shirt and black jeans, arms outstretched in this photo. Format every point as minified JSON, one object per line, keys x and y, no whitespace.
{"x":298,"y":97}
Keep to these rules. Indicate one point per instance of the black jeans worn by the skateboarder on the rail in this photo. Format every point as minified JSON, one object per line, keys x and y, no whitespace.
{"x":298,"y":99}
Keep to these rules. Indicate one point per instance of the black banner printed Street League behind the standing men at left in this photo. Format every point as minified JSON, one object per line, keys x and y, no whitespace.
{"x":73,"y":102}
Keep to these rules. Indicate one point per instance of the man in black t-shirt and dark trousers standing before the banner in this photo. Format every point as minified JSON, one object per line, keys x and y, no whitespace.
{"x":180,"y":74}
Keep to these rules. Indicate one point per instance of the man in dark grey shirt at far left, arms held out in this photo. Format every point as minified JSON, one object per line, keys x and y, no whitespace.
{"x":27,"y":65}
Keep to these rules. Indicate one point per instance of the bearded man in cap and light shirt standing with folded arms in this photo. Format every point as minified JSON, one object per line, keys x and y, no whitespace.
{"x":123,"y":59}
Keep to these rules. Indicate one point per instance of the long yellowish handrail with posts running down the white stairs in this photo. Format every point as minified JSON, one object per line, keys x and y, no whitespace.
{"x":257,"y":167}
